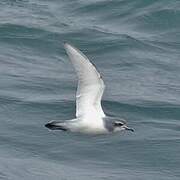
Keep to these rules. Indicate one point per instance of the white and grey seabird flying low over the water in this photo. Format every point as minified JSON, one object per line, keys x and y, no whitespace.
{"x":90,"y":117}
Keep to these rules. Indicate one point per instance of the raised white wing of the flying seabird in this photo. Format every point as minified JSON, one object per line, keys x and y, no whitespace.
{"x":90,"y":84}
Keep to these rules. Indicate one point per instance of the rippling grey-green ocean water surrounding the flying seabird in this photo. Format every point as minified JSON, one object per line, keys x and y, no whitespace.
{"x":136,"y":47}
